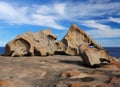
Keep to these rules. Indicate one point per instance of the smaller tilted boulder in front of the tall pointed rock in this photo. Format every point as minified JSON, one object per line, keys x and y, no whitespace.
{"x":93,"y":56}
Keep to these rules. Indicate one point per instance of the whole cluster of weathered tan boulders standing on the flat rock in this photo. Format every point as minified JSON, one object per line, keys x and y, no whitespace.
{"x":43,"y":43}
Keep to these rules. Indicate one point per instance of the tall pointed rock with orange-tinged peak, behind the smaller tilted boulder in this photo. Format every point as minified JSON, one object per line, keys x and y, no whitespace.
{"x":74,"y":38}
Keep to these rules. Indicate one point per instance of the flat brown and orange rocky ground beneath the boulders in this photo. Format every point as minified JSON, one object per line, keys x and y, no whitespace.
{"x":55,"y":71}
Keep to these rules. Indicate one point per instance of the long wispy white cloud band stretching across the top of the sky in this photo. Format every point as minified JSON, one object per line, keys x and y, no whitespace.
{"x":58,"y":11}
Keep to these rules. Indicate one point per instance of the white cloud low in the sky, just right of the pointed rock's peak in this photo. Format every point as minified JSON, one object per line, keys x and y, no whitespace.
{"x":101,"y":30}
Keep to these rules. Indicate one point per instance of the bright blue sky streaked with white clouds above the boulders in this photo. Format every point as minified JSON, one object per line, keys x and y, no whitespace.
{"x":99,"y":18}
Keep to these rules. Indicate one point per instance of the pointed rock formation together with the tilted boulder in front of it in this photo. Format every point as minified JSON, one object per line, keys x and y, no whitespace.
{"x":77,"y":42}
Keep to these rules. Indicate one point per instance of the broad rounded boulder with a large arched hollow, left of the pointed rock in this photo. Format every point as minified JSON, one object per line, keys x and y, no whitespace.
{"x":41,"y":44}
